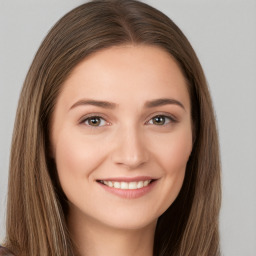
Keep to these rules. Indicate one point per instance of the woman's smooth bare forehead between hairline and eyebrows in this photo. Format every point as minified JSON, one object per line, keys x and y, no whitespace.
{"x":136,"y":71}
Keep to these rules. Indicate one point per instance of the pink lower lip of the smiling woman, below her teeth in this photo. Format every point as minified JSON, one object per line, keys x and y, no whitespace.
{"x":129,"y":193}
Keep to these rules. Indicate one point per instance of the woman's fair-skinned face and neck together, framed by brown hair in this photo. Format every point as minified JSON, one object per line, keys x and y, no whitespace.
{"x":121,"y":163}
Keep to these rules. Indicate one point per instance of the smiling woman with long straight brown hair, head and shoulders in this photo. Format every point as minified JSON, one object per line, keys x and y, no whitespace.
{"x":115,"y":148}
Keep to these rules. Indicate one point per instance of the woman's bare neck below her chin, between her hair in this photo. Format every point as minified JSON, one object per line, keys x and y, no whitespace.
{"x":96,"y":239}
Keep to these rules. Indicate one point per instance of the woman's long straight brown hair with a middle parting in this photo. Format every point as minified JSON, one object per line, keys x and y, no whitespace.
{"x":37,"y":206}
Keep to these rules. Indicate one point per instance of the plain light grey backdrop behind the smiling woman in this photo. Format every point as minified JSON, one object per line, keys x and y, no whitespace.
{"x":223,"y":34}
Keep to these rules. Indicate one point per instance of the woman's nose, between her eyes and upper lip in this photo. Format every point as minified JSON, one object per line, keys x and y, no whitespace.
{"x":130,"y":149}
